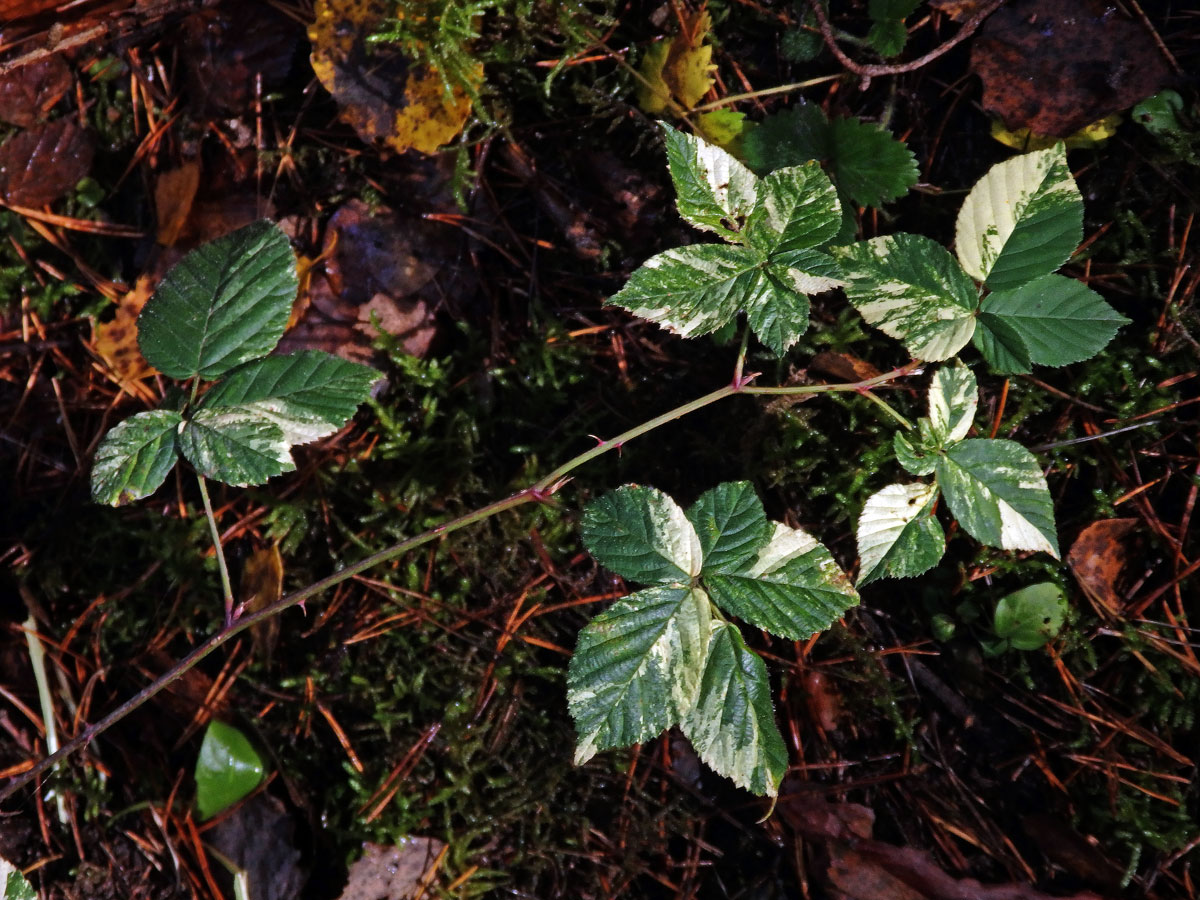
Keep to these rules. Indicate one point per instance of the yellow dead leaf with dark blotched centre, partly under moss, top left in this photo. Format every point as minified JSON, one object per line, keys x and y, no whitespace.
{"x":367,"y":83}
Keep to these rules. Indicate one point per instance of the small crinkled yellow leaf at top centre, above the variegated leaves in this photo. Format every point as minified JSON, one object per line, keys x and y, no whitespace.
{"x":680,"y":69}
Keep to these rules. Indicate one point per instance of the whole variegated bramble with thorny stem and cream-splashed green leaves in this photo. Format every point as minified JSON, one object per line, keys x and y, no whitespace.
{"x":668,"y":655}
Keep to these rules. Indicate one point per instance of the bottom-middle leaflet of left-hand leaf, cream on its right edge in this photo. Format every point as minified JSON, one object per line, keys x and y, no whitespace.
{"x":236,"y":446}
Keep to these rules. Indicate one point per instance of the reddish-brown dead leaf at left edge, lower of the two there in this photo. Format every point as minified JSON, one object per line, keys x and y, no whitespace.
{"x":45,"y":163}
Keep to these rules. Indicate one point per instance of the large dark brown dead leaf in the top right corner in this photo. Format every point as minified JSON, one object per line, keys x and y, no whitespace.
{"x":1054,"y":67}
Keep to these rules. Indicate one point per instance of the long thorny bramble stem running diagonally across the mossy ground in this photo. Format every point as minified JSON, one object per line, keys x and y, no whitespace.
{"x":539,"y":493}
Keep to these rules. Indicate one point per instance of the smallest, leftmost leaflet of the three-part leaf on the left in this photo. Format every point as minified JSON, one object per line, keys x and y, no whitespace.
{"x":135,"y":458}
